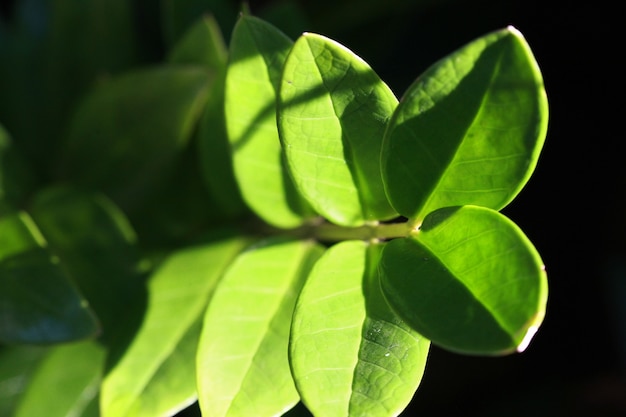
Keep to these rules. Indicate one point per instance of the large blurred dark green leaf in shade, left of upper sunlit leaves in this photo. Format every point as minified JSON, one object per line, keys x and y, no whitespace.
{"x":129,"y":132}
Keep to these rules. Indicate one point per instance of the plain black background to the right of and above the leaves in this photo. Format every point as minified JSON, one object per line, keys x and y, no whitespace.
{"x":572,"y":208}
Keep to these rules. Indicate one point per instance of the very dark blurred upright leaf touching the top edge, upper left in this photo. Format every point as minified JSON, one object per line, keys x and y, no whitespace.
{"x":87,"y":40}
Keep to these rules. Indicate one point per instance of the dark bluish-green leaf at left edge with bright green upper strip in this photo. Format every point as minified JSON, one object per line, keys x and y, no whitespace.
{"x":37,"y":302}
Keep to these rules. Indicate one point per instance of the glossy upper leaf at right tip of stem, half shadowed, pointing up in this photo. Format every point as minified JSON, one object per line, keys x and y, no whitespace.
{"x":469,"y":130}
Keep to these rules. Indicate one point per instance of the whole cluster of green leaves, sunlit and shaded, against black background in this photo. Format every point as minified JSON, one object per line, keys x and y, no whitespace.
{"x":257,"y":223}
